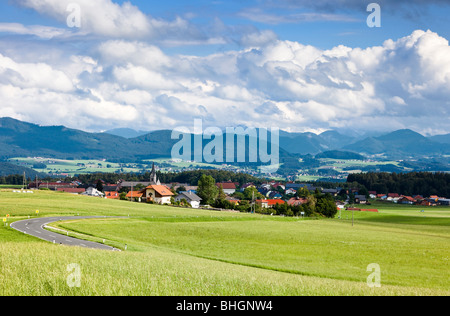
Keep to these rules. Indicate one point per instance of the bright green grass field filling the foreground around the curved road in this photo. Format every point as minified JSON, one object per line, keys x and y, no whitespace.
{"x":174,"y":251}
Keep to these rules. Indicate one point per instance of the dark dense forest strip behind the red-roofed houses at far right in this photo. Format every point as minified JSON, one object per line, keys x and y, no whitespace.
{"x":413,"y":183}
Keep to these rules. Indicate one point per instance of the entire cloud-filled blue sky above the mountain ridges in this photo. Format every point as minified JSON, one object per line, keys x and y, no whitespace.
{"x":298,"y":65}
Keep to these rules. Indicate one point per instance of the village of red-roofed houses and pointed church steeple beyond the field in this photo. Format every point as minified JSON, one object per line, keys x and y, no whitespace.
{"x":268,"y":195}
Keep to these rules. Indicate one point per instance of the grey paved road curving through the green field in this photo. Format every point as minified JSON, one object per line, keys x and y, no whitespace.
{"x":35,"y":227}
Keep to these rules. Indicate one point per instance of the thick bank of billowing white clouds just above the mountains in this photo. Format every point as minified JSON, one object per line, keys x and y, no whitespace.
{"x":283,"y":83}
